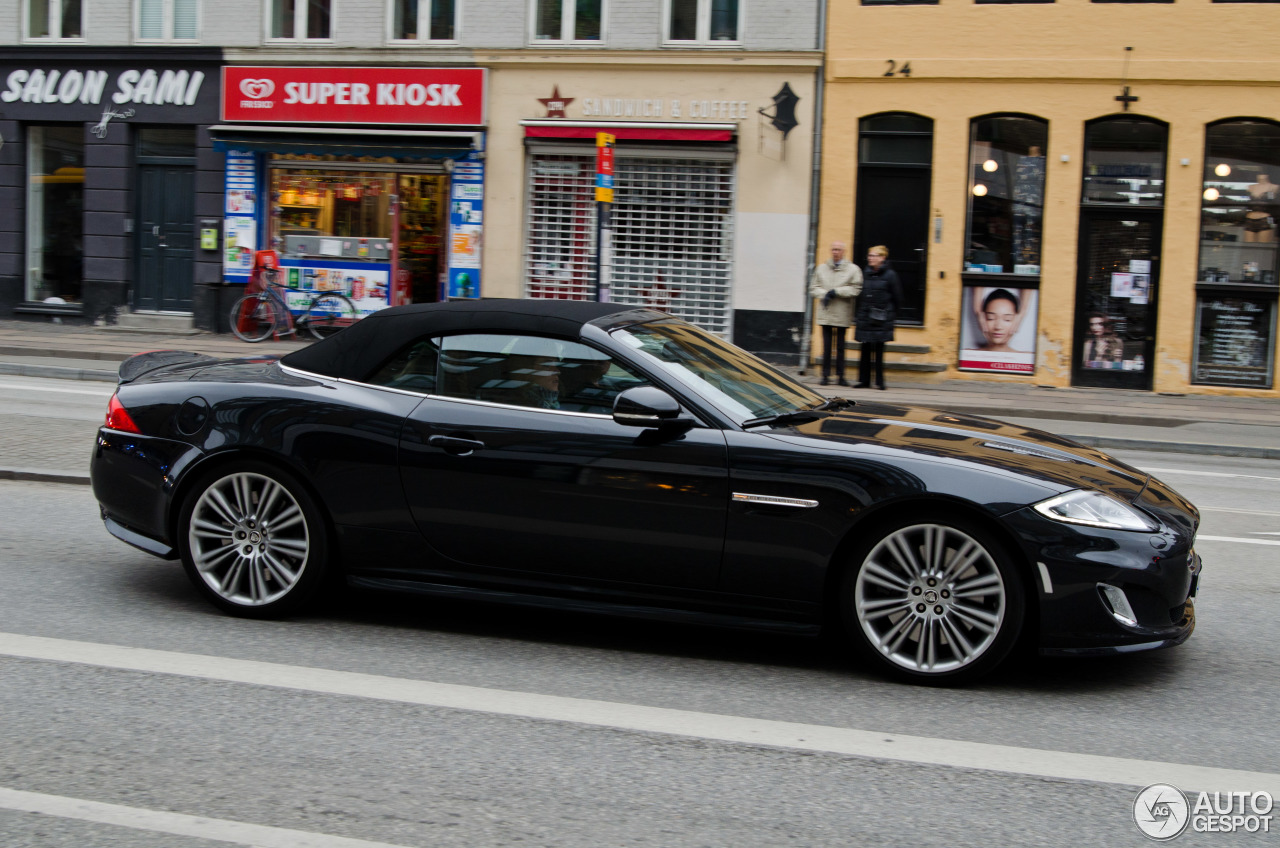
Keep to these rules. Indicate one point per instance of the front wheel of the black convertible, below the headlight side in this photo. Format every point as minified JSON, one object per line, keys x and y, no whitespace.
{"x":934,"y":600}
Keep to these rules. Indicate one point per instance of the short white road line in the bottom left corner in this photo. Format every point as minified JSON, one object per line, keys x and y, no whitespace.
{"x":176,"y":823}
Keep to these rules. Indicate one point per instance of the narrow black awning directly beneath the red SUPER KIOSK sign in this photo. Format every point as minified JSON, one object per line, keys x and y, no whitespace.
{"x":424,"y":148}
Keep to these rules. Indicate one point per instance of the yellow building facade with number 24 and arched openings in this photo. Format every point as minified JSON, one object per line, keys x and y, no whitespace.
{"x":1073,"y":193}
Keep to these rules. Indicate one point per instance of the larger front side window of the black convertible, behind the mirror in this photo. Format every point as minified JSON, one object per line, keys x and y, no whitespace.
{"x":532,"y":371}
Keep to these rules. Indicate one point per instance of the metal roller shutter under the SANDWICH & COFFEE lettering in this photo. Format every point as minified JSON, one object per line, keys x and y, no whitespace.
{"x":673,"y":232}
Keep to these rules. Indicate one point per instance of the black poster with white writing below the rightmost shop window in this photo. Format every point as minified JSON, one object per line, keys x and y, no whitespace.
{"x":1235,"y":341}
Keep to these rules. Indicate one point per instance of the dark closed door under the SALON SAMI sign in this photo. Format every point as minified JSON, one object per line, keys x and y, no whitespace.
{"x":166,"y":245}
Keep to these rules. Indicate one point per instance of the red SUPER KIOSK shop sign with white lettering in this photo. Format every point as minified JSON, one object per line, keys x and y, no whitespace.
{"x":355,"y":95}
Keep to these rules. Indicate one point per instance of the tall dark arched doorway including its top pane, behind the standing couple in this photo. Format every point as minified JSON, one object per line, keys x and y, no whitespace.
{"x":895,"y":167}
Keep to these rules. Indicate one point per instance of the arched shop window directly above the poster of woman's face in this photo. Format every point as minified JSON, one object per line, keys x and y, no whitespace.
{"x":1007,"y":195}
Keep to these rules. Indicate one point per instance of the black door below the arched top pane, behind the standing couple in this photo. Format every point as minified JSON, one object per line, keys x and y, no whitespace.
{"x":894,"y":211}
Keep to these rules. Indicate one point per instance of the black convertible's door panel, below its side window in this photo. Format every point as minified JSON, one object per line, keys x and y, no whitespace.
{"x":554,"y":494}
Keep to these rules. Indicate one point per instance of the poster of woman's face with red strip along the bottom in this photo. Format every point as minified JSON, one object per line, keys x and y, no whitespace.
{"x":998,"y":330}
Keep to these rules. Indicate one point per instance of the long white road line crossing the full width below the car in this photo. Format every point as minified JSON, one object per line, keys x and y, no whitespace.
{"x":950,"y":754}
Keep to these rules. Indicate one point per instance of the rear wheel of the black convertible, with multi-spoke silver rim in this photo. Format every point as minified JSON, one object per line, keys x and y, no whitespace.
{"x":254,"y":541}
